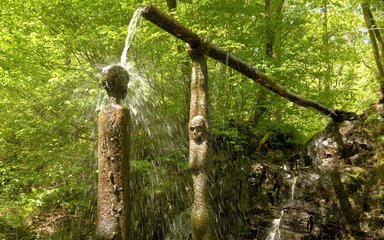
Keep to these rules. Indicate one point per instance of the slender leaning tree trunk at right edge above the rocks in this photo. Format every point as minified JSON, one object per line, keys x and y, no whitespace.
{"x":375,"y":38}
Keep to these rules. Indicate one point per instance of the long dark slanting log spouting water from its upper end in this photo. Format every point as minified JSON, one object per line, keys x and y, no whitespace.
{"x":173,"y":27}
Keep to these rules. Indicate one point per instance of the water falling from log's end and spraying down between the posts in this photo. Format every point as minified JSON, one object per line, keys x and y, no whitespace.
{"x":160,"y":184}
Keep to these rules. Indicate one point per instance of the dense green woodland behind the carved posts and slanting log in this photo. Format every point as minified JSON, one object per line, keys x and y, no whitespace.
{"x":51,"y":53}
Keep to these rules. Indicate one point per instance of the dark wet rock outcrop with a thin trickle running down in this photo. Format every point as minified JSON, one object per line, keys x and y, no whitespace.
{"x":332,"y":189}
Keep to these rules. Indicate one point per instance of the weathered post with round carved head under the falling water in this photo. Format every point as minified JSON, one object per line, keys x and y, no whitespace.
{"x":113,"y":203}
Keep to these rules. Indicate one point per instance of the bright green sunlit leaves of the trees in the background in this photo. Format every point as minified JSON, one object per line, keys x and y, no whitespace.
{"x":51,"y":50}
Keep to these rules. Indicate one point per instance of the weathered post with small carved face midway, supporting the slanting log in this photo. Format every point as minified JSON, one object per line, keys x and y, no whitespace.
{"x":200,"y":147}
